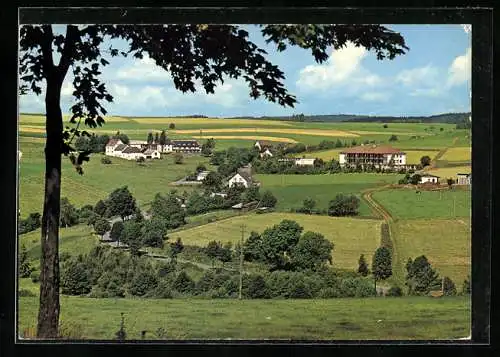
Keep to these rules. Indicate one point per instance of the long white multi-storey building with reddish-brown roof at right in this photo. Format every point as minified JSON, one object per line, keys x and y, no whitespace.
{"x":372,"y":155}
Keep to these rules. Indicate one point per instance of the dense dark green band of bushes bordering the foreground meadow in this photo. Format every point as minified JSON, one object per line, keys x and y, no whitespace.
{"x":105,"y":272}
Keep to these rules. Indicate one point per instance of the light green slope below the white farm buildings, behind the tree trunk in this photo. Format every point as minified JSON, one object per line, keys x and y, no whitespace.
{"x":98,"y":179}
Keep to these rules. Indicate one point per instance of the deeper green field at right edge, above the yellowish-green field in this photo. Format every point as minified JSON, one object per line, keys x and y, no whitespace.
{"x":406,"y":204}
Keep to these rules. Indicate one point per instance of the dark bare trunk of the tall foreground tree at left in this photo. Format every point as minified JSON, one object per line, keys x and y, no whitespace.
{"x":48,"y":315}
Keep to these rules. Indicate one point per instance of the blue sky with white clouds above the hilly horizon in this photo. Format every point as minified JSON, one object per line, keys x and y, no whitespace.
{"x":433,"y":77}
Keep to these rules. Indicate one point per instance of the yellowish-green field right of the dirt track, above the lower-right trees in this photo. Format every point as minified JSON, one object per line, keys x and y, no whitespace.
{"x":445,"y":242}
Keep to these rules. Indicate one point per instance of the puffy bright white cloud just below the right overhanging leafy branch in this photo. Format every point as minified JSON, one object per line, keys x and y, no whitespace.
{"x":342,"y":69}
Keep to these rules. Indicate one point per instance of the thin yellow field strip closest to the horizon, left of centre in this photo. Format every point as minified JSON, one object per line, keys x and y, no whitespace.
{"x":208,"y":121}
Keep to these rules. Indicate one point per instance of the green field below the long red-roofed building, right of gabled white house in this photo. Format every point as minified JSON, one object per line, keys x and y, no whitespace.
{"x":291,"y":190}
